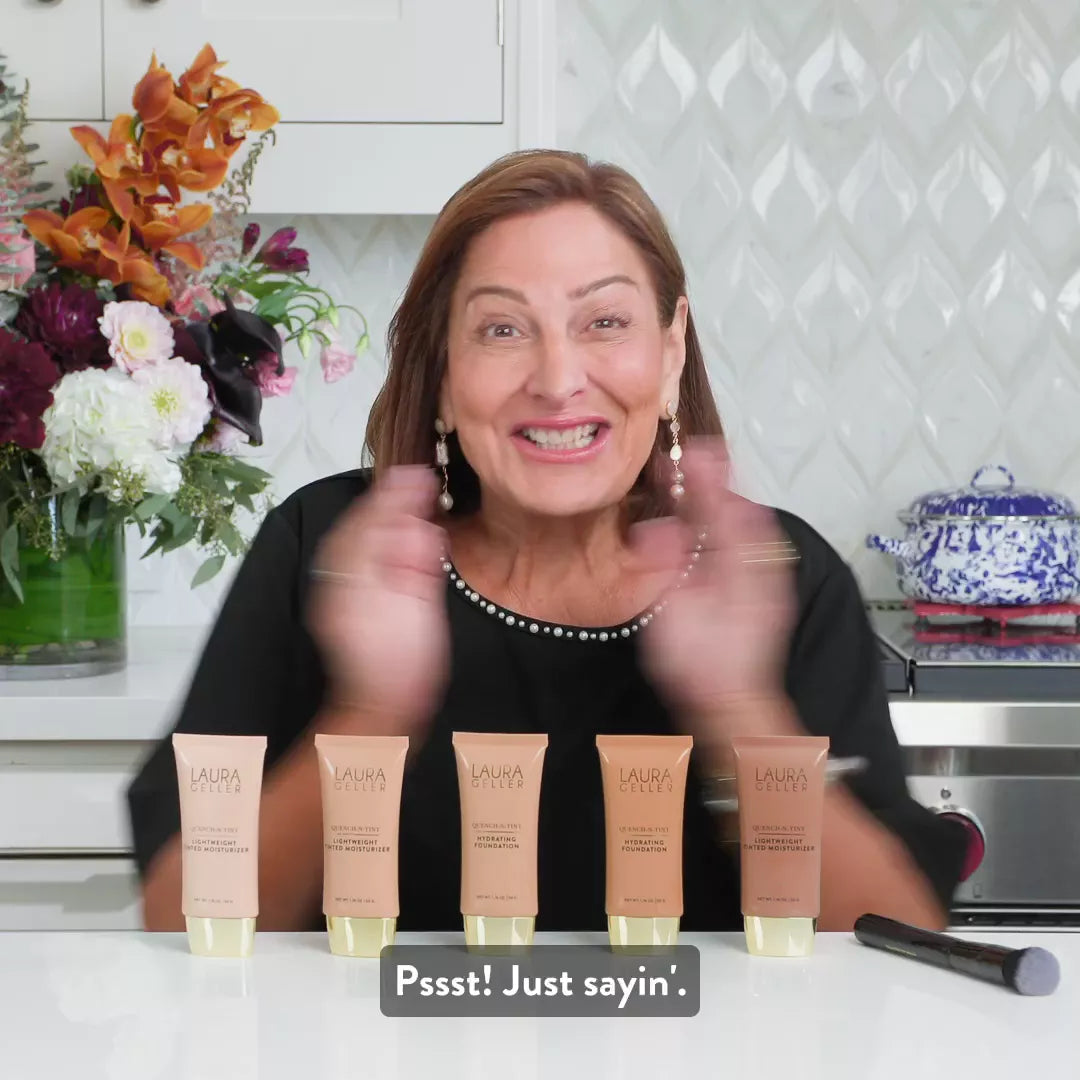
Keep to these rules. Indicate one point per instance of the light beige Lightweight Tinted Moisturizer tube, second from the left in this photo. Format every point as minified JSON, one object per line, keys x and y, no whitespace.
{"x":361,"y":781}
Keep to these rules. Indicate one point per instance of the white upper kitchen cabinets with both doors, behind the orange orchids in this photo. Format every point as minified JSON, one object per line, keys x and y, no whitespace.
{"x":387,"y":106}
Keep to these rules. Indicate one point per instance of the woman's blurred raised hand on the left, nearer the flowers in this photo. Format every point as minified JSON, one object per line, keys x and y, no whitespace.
{"x":377,"y":609}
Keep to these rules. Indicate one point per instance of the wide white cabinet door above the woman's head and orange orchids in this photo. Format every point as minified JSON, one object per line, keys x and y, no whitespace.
{"x":325,"y":61}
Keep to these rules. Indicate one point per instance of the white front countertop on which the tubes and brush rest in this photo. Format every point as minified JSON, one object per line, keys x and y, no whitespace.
{"x":138,"y":1007}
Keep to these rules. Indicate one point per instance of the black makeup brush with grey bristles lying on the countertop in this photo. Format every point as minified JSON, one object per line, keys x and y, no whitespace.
{"x":1030,"y":971}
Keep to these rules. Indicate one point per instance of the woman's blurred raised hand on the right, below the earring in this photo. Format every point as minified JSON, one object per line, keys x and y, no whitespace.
{"x":721,"y":641}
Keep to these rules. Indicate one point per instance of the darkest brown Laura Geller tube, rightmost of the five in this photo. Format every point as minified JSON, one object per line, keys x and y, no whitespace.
{"x":781,"y":785}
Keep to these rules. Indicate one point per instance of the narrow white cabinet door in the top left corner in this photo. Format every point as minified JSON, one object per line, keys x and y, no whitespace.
{"x":58,"y":46}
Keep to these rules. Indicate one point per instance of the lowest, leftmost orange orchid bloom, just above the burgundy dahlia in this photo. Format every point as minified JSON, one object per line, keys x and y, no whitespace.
{"x":89,"y":244}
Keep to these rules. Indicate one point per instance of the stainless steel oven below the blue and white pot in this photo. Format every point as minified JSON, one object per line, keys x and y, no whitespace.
{"x":992,"y":738}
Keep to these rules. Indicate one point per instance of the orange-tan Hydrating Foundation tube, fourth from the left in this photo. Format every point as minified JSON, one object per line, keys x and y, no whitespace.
{"x":644,"y":800}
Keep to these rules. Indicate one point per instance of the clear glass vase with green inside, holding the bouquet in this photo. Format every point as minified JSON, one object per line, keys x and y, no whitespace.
{"x":73,"y":619}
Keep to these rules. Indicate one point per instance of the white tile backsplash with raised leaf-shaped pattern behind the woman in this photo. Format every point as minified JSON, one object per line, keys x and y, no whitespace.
{"x":879,"y":202}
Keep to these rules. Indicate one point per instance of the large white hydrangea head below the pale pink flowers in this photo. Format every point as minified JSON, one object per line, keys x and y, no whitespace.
{"x":101,"y":421}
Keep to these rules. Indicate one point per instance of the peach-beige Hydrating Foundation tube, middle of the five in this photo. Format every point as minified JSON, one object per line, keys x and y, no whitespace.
{"x":499,"y":785}
